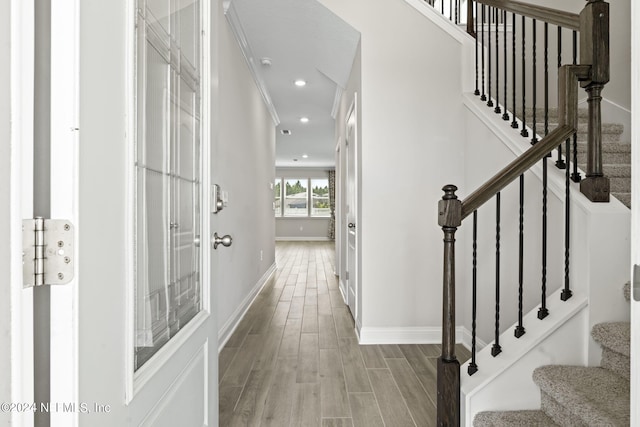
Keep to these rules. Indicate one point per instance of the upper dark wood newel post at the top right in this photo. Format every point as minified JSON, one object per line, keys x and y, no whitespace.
{"x":594,"y":51}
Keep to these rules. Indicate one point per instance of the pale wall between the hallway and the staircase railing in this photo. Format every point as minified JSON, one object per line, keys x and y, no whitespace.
{"x":410,"y":110}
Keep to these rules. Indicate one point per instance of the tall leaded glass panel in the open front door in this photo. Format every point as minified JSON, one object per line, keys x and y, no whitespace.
{"x":168,"y":291}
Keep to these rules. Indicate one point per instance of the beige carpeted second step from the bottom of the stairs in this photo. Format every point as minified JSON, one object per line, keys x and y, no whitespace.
{"x":594,"y":395}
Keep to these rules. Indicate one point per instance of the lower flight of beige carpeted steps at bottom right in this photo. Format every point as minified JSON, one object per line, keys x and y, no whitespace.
{"x":578,"y":395}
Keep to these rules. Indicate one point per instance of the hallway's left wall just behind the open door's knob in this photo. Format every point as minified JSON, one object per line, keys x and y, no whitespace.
{"x":243,"y":165}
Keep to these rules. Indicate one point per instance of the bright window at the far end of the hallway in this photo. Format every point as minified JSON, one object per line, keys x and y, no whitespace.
{"x":302,"y":197}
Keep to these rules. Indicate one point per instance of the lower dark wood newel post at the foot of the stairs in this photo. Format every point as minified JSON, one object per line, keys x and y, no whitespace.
{"x":449,"y":218}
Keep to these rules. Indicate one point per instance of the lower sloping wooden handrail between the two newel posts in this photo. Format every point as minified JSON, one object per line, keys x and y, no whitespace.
{"x":516,"y":168}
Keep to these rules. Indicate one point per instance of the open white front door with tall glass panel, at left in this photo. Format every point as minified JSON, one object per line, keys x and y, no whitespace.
{"x":134,"y":340}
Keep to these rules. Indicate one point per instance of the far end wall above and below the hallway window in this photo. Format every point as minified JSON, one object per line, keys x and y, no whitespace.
{"x":305,"y":228}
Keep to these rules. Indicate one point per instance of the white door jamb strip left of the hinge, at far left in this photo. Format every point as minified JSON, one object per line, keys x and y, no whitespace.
{"x":20,"y":123}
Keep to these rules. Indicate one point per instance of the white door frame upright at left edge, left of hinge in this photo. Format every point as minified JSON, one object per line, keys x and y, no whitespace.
{"x":16,"y":358}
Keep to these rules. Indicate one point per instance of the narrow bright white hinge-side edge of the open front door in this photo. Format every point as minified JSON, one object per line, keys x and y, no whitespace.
{"x":65,"y":80}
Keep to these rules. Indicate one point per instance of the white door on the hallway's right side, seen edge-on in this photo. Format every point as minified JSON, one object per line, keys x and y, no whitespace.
{"x":351,"y":213}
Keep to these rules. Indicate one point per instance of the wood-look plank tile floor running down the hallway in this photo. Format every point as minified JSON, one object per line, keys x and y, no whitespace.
{"x":294,"y":359}
